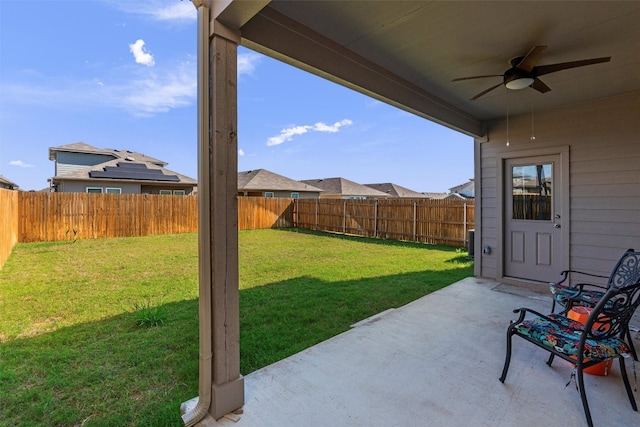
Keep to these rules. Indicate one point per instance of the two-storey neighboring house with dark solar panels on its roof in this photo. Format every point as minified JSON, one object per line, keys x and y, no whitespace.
{"x":84,"y":168}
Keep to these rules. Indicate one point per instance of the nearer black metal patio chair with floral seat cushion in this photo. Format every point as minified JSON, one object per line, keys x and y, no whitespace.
{"x":600,"y":339}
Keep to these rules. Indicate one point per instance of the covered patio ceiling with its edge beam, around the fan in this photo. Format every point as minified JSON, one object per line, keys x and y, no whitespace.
{"x":407,"y":53}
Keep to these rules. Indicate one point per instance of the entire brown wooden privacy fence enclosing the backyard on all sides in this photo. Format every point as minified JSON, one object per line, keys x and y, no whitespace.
{"x":40,"y":216}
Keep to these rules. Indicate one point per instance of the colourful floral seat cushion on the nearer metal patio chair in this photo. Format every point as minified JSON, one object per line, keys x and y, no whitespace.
{"x":563,"y":334}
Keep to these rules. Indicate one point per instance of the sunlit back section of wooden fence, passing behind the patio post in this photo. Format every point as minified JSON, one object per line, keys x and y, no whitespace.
{"x":69,"y":216}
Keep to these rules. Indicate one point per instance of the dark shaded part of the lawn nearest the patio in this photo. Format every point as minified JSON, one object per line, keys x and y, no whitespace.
{"x":114,"y":373}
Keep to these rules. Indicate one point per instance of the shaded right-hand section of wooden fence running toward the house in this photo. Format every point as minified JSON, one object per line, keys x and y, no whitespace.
{"x":444,"y":222}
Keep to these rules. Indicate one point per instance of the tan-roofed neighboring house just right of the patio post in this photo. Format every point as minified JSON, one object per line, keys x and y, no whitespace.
{"x":262,"y":183}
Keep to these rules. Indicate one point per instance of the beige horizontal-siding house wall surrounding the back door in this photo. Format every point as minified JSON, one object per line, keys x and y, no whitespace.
{"x":604,"y":179}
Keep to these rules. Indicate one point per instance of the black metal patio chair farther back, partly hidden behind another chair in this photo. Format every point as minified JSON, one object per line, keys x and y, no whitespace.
{"x":625,"y":272}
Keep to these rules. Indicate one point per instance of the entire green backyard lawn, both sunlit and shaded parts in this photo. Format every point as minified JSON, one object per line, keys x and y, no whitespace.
{"x":105,"y":332}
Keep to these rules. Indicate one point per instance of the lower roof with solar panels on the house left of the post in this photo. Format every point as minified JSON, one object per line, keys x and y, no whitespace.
{"x":119,"y":170}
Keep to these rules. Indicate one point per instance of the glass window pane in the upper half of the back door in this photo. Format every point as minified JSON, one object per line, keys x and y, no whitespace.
{"x":531,"y":191}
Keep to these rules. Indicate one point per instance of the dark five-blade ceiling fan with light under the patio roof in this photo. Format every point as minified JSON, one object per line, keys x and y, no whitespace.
{"x":524,"y":72}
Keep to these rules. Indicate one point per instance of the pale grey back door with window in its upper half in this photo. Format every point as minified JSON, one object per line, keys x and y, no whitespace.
{"x":533,"y":218}
